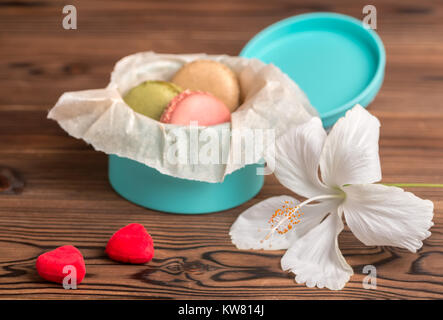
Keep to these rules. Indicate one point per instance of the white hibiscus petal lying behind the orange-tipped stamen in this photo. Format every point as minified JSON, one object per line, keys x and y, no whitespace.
{"x":251,"y":228}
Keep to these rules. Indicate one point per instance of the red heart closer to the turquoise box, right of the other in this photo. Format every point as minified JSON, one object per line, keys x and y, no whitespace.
{"x":131,"y":244}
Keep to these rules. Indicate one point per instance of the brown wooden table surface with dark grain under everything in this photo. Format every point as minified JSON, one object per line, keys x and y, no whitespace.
{"x":68,"y":200}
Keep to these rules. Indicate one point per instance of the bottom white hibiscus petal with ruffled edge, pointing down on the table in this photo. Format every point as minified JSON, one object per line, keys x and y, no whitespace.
{"x":316,"y":259}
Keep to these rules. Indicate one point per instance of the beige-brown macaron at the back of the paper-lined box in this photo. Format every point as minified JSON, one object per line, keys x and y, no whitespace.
{"x":213,"y":77}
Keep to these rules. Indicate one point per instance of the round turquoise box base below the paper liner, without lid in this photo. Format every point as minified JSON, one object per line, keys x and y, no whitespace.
{"x":149,"y":188}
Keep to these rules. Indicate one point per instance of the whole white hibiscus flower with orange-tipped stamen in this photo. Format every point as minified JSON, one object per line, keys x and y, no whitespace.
{"x":349,"y":164}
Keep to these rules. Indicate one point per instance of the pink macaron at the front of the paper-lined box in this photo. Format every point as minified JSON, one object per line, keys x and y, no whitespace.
{"x":198,"y":106}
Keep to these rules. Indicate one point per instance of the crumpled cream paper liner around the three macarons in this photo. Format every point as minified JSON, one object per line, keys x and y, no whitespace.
{"x":271,"y":100}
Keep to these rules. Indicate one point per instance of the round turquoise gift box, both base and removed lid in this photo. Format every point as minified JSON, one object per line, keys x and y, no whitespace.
{"x":336,"y":60}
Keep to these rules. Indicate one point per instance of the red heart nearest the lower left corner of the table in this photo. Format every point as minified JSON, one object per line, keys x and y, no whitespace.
{"x":50,"y":265}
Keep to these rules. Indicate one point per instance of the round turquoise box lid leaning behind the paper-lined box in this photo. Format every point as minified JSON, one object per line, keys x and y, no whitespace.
{"x":334,"y":58}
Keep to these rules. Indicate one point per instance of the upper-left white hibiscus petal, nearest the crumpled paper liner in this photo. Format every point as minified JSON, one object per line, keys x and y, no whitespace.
{"x":297,"y":159}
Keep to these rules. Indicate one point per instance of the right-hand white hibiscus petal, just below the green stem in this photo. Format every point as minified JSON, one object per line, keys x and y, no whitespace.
{"x":387,"y":216}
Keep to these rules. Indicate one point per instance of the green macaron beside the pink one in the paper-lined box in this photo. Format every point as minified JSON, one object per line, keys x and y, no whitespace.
{"x":150,"y":98}
